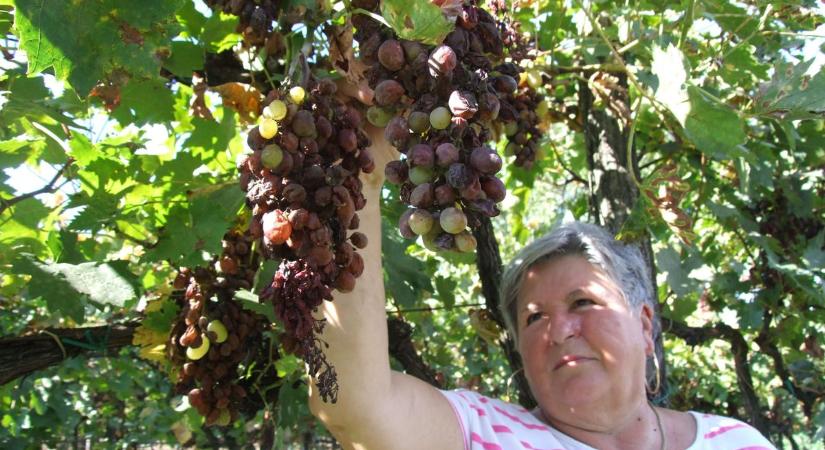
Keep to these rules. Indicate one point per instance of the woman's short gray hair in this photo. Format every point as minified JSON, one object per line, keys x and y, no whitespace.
{"x":624,"y":265}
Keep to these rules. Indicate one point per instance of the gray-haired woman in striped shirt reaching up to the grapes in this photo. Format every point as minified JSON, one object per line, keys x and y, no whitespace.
{"x":579,"y":305}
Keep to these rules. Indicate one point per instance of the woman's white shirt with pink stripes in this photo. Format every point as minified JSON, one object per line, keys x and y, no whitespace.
{"x":491,"y":424}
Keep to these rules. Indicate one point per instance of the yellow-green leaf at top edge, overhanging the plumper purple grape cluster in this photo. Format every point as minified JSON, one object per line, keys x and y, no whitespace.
{"x":416,"y":20}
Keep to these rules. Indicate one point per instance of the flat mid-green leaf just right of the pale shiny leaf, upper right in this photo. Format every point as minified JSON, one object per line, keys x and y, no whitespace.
{"x":717,"y":130}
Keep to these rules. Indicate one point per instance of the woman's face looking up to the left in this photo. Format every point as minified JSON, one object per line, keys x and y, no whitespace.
{"x":583,"y":349}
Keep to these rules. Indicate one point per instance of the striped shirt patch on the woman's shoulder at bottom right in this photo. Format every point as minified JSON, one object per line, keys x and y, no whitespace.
{"x":720,"y":432}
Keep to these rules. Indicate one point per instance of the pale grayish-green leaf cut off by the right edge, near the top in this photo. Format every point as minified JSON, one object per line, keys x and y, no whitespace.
{"x":792,"y":94}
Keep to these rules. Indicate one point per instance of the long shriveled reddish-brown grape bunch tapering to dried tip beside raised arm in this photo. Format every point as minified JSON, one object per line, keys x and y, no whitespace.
{"x":302,"y":185}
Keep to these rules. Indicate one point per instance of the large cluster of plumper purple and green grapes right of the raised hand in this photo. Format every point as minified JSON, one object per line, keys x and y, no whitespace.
{"x":440,"y":105}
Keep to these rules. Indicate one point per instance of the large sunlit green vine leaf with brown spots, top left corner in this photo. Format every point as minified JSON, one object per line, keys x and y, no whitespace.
{"x":103,"y":37}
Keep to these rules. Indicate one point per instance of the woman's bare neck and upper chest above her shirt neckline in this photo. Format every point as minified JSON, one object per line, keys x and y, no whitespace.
{"x":635,"y":428}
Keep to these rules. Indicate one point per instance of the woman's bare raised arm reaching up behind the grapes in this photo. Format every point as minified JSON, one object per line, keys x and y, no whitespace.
{"x":376,"y":408}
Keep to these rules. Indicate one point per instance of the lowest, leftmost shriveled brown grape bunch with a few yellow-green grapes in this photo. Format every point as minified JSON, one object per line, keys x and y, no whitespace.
{"x":214,"y":339}
